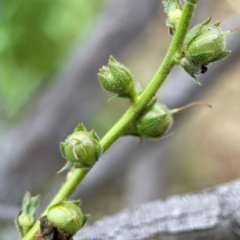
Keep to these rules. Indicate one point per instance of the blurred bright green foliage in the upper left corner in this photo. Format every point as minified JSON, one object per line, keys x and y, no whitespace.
{"x":35,"y":37}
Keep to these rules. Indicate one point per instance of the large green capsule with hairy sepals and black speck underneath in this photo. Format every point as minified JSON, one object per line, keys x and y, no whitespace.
{"x":203,"y":45}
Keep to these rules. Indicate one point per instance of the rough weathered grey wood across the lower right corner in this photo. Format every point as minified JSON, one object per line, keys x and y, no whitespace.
{"x":209,"y":215}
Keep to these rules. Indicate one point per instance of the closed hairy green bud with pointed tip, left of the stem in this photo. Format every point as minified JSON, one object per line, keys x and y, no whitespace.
{"x":117,"y":78}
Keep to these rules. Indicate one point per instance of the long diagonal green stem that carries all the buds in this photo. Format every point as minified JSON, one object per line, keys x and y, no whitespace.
{"x":134,"y":110}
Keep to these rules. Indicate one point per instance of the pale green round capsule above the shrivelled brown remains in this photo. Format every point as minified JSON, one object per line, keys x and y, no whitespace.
{"x":67,"y":216}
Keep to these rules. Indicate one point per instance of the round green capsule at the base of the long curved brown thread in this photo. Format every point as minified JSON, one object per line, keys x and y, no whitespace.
{"x":154,"y":123}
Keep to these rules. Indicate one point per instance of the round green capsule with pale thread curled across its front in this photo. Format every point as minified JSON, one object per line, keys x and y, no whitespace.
{"x":81,"y":149}
